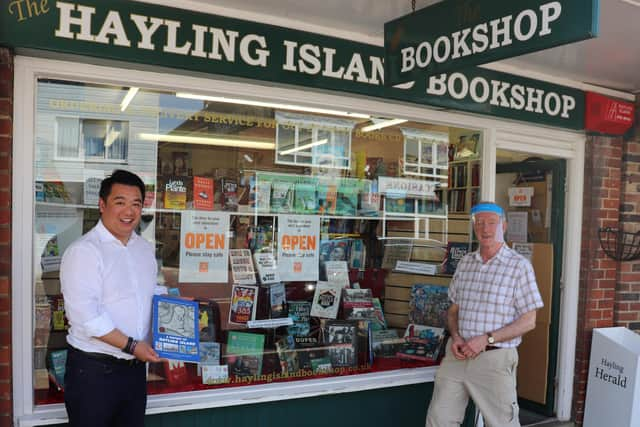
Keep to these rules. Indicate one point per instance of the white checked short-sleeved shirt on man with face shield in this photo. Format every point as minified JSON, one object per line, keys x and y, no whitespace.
{"x":492,"y":295}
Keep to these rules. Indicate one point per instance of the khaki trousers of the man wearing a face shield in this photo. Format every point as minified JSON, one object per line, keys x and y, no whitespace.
{"x":489,"y":379}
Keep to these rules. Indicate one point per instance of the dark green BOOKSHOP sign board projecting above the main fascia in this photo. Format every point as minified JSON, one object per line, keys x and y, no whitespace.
{"x":456,"y":34}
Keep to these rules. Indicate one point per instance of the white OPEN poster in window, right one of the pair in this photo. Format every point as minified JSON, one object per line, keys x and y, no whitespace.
{"x":298,"y":254}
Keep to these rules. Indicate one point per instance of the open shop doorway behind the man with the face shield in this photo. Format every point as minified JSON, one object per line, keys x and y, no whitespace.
{"x":537,"y":230}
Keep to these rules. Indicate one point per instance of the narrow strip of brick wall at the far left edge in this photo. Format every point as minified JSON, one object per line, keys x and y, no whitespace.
{"x":6,"y":127}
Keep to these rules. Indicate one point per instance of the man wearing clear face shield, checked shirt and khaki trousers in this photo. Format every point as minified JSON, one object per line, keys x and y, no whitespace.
{"x":494,"y":297}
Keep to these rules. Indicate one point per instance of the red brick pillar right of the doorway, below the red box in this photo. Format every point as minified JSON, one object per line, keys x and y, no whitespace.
{"x":598,"y":272}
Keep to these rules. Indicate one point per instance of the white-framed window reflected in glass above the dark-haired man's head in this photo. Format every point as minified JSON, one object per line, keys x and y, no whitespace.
{"x":91,"y":139}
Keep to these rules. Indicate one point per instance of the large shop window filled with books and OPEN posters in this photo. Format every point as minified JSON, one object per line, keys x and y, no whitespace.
{"x":284,"y":229}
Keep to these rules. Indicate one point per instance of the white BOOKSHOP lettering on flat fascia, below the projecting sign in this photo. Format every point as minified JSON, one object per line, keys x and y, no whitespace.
{"x":501,"y":94}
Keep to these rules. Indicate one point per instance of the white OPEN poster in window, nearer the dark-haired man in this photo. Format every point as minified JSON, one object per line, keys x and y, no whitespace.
{"x":204,"y":248}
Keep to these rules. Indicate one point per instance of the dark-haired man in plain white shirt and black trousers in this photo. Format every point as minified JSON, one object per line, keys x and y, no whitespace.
{"x":108,"y":279}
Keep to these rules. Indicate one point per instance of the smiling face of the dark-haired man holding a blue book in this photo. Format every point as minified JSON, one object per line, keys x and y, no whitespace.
{"x":121,"y":211}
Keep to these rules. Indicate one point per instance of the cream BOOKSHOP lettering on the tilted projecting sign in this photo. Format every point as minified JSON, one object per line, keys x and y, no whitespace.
{"x":485,"y":36}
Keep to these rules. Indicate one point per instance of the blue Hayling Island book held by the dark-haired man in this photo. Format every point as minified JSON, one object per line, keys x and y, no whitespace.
{"x":176,"y":333}
